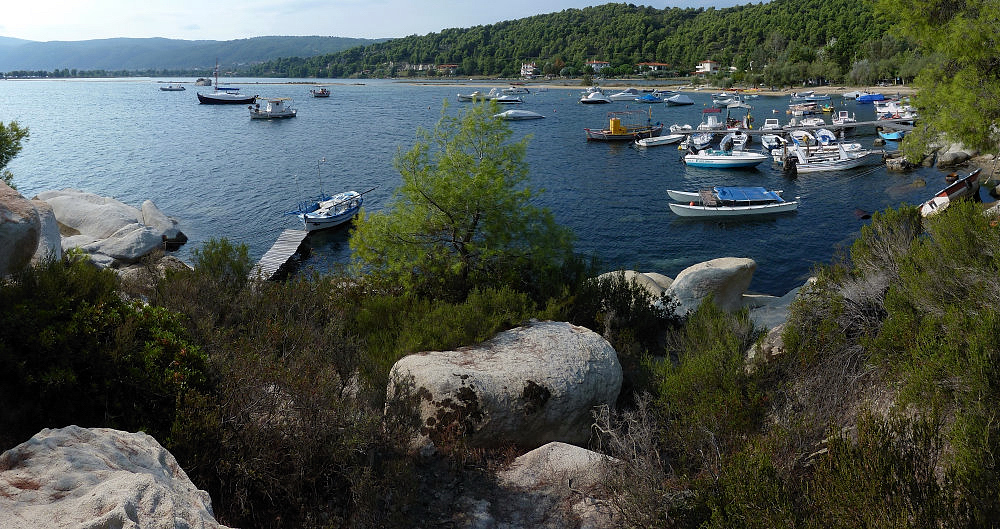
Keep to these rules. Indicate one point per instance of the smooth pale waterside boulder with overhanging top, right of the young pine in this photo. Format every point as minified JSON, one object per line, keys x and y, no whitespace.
{"x":726,"y":279}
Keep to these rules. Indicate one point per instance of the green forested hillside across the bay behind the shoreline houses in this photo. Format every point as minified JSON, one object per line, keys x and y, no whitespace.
{"x":828,"y":32}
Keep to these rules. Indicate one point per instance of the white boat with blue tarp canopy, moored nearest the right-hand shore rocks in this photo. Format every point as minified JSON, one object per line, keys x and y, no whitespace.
{"x":726,"y":201}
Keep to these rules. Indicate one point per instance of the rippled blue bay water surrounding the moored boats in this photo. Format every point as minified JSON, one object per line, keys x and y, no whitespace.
{"x":223,"y":175}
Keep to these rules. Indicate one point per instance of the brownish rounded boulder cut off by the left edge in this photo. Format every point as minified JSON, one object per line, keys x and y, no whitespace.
{"x":20,"y":230}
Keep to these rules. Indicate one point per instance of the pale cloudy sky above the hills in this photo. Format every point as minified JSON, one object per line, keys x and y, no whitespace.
{"x":70,"y":20}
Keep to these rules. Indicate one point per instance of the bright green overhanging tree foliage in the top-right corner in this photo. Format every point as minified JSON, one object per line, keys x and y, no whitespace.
{"x":959,"y":93}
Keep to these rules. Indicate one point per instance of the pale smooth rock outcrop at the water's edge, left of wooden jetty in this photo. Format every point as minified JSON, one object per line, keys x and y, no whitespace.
{"x":111,"y":232}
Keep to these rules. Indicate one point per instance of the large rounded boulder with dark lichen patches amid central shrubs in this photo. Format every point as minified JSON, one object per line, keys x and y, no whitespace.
{"x":527,"y":386}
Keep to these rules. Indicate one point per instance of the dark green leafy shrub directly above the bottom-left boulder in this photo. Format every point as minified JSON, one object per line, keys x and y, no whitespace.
{"x":74,"y":352}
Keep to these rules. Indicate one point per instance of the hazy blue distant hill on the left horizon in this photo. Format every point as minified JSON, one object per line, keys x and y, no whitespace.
{"x":162,"y":54}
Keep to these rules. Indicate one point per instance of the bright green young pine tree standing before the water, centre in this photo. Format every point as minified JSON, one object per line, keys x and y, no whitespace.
{"x":463,"y":216}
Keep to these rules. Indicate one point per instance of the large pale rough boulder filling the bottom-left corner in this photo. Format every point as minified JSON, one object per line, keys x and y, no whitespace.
{"x":98,"y":478}
